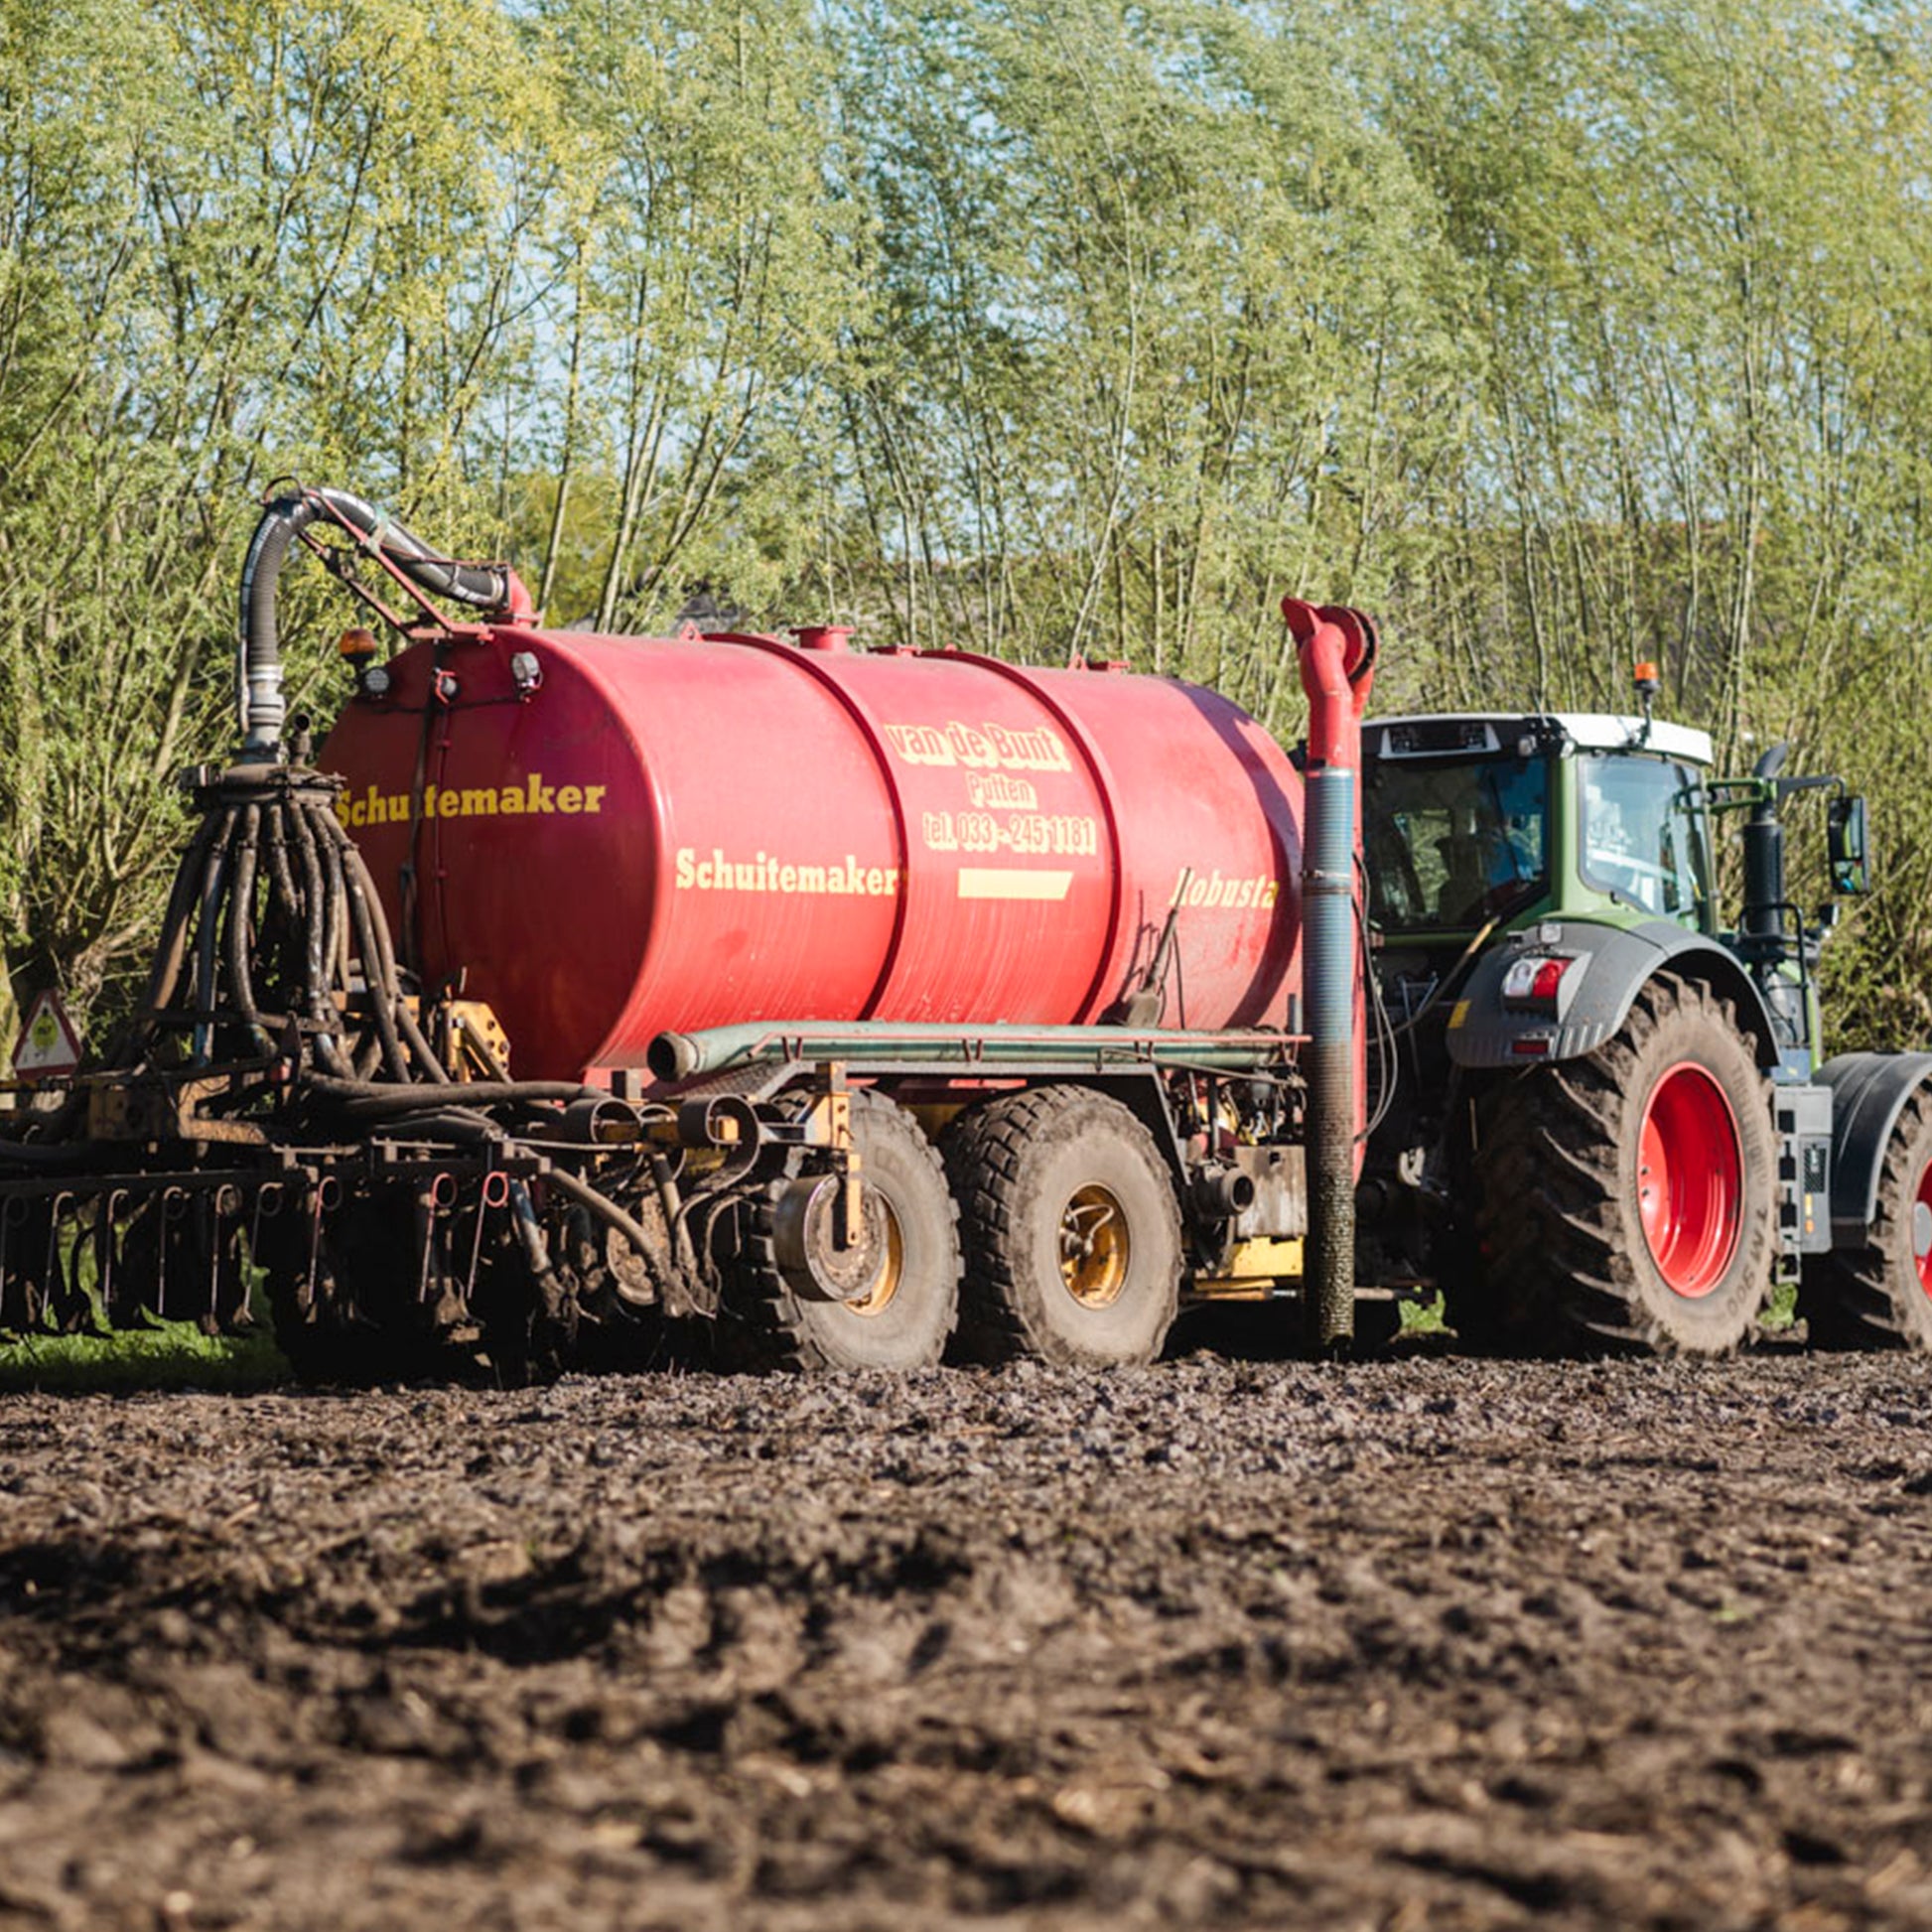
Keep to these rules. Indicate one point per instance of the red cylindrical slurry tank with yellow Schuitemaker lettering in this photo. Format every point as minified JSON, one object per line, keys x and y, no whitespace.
{"x":631,"y":836}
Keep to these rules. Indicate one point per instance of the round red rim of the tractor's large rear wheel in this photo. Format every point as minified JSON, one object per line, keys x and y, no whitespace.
{"x":1691,"y":1179}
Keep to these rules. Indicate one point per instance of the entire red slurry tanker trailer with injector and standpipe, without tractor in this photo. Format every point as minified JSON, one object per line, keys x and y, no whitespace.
{"x":582,"y":992}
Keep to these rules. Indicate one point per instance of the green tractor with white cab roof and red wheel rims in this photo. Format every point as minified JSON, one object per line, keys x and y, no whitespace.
{"x":1603,"y":1116}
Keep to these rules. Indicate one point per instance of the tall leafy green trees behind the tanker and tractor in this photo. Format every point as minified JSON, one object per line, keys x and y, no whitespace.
{"x":1562,"y":335}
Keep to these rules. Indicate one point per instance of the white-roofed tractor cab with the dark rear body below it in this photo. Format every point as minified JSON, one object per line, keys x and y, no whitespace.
{"x":1533,"y":836}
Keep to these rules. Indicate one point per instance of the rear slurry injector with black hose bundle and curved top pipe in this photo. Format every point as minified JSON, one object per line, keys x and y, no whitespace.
{"x":279,"y":1110}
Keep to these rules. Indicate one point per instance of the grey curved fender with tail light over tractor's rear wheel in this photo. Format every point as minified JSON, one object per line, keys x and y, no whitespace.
{"x":1502,"y":1021}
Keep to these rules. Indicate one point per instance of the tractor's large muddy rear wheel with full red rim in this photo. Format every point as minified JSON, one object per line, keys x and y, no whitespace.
{"x":1628,"y":1203}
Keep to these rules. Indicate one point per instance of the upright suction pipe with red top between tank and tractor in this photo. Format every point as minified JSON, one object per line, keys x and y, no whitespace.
{"x":1338,"y":662}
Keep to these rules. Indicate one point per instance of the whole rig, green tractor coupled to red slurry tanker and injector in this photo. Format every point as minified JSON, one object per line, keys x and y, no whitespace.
{"x":581,"y":996}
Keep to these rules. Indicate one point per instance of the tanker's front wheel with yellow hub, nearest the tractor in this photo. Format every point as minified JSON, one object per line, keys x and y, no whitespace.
{"x":1071,"y":1230}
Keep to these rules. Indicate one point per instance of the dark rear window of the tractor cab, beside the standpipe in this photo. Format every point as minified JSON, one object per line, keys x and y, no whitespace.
{"x":1454,"y":845}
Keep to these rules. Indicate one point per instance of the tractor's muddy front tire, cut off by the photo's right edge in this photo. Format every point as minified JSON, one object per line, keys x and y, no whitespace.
{"x":1877,"y":1295}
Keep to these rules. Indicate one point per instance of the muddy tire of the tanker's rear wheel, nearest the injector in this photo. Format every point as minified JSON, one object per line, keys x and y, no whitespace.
{"x":899,"y":1330}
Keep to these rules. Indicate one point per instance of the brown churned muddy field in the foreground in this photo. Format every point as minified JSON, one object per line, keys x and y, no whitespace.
{"x":1407,"y":1645}
